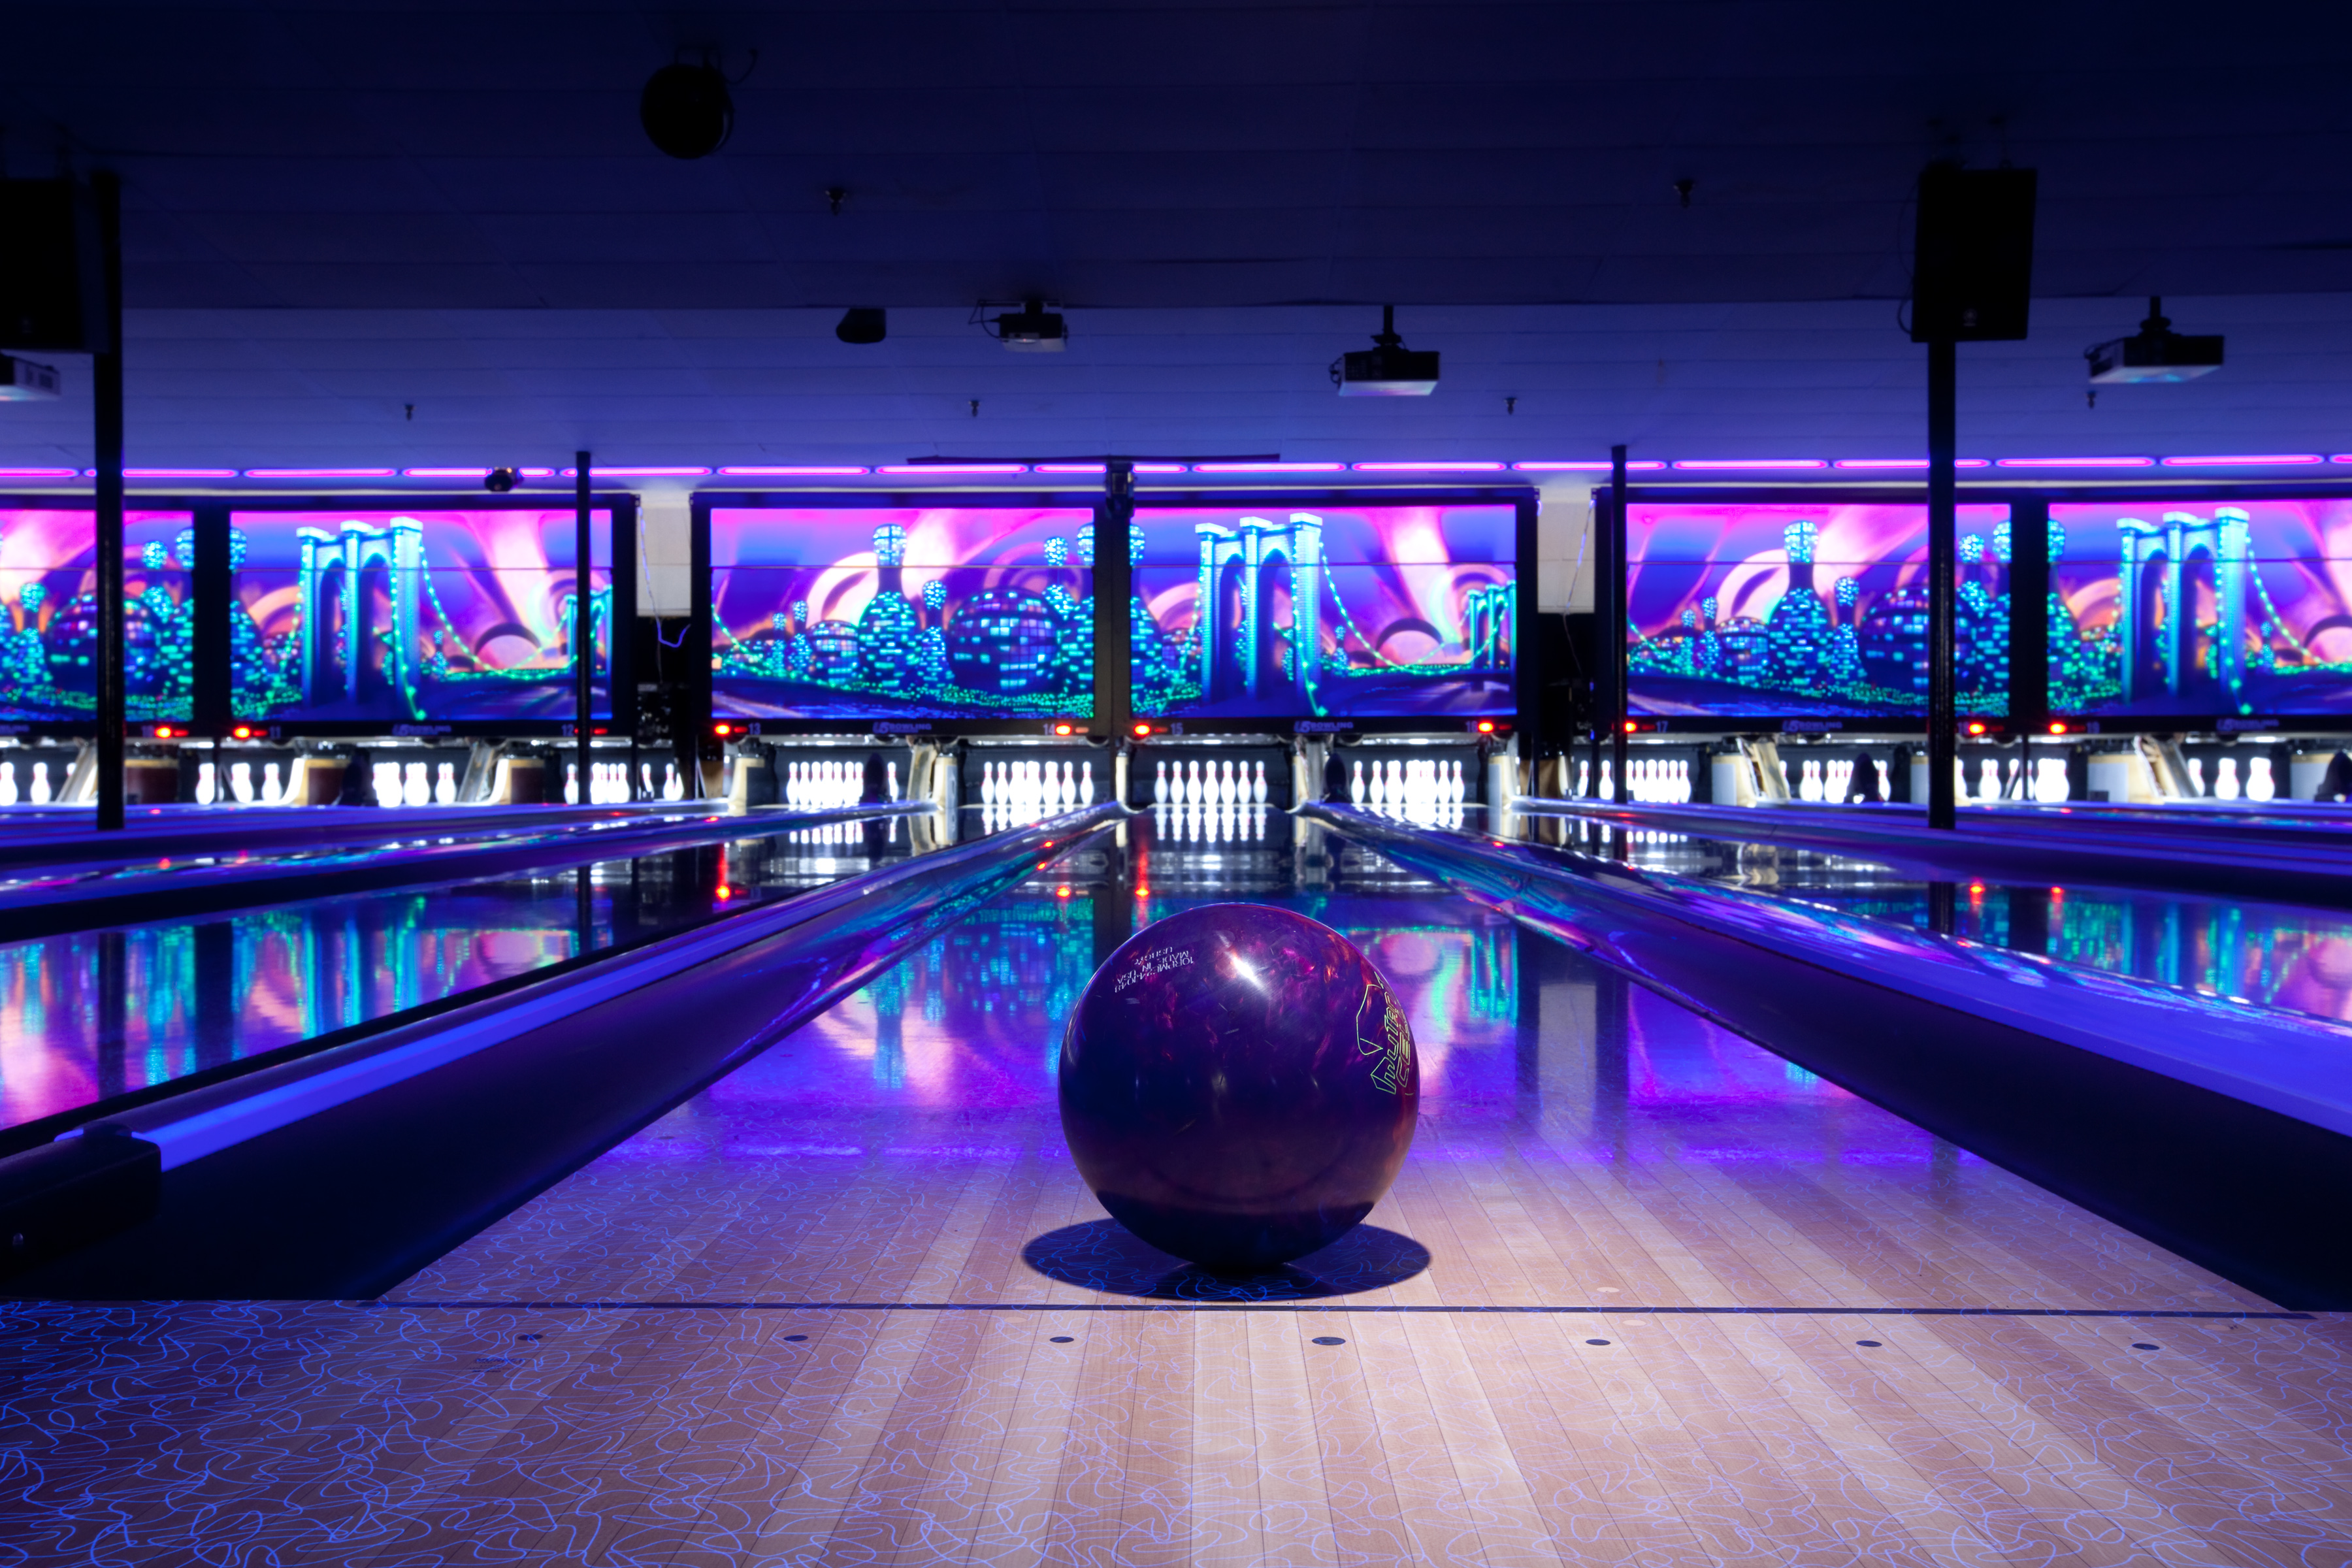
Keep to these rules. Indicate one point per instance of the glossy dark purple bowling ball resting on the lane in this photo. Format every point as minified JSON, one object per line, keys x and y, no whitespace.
{"x":1238,"y":1085}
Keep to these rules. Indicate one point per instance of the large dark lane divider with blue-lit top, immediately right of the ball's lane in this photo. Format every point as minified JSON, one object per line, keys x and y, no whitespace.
{"x":2217,"y":1130}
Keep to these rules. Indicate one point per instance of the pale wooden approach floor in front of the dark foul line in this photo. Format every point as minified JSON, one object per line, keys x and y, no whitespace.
{"x":1177,"y":1435}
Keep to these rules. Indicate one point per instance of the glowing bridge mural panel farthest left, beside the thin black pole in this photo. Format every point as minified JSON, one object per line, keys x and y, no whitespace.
{"x":410,"y":617}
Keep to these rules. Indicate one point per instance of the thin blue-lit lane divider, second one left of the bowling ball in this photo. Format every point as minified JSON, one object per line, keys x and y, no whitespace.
{"x":128,"y":897}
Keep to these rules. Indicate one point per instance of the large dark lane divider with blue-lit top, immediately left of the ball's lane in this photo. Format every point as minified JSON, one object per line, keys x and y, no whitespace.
{"x":340,"y":1174}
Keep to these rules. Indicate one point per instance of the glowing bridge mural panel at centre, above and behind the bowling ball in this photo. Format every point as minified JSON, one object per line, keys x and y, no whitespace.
{"x":1344,"y":612}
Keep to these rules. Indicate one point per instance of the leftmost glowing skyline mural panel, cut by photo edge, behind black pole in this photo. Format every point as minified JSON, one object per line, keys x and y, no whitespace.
{"x":51,"y":615}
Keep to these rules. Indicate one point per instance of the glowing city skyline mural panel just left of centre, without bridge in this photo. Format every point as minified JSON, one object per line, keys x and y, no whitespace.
{"x":902,"y":612}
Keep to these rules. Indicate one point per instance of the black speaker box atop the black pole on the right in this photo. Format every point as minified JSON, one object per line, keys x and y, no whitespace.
{"x":1975,"y":255}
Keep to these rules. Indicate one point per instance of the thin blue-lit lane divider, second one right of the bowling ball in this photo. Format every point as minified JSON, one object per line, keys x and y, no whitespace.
{"x":2271,"y":864}
